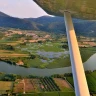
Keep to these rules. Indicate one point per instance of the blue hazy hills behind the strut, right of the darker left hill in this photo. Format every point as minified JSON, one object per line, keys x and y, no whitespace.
{"x":57,"y":25}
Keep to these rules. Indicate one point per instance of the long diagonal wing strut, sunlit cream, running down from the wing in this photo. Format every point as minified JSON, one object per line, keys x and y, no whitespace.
{"x":80,"y":83}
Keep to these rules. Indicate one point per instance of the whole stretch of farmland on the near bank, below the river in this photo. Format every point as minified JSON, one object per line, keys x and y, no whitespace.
{"x":56,"y":85}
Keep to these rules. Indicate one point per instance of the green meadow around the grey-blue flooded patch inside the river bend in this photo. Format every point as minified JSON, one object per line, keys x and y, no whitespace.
{"x":49,"y":47}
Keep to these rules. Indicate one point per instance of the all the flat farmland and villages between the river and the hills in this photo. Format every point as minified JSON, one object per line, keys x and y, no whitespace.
{"x":39,"y":49}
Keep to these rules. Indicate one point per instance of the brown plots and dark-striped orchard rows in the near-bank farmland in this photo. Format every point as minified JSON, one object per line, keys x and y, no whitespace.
{"x":41,"y":85}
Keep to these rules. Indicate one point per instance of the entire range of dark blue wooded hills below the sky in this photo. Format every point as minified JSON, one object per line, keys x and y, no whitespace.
{"x":49,"y":24}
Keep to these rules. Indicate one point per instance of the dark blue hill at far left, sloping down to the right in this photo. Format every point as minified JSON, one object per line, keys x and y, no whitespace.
{"x":12,"y":22}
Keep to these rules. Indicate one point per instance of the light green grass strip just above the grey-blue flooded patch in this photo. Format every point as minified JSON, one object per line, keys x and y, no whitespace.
{"x":46,"y":46}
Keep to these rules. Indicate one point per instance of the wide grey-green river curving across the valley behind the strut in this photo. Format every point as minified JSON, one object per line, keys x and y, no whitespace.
{"x":90,"y":64}
